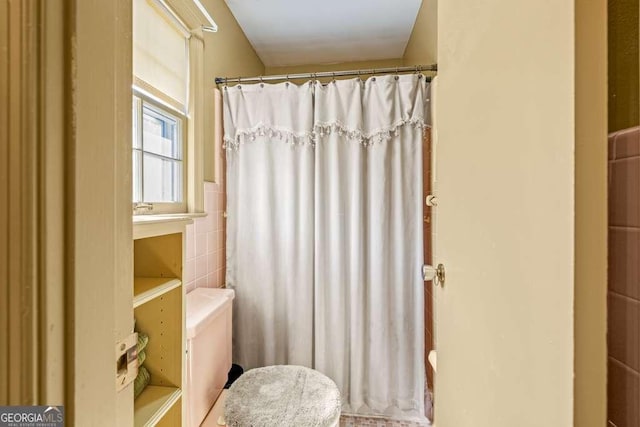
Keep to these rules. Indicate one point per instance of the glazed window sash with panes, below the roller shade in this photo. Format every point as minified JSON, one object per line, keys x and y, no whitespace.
{"x":158,"y":153}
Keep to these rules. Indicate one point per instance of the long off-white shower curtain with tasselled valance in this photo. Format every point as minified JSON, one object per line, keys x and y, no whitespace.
{"x":324,"y":233}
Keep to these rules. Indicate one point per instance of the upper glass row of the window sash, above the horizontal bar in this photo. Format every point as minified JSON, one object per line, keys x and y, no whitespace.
{"x":160,"y":134}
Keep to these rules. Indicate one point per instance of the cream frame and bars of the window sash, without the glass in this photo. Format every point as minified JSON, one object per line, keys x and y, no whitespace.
{"x":140,"y":99}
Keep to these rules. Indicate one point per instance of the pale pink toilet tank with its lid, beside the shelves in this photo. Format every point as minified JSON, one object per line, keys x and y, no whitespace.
{"x":208,"y":317}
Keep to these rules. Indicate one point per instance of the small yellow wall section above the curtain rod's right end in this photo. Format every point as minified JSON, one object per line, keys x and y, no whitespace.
{"x":422,"y":47}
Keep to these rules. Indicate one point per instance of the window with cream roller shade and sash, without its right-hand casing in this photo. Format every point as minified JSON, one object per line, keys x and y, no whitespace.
{"x":160,"y":68}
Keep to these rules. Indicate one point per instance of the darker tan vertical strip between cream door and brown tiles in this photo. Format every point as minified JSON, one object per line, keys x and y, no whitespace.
{"x":590,"y":306}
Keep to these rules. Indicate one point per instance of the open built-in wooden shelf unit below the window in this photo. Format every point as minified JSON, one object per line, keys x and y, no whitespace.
{"x":158,"y":309}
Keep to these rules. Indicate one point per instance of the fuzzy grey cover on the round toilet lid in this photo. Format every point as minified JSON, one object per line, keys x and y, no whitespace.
{"x":283,"y":396}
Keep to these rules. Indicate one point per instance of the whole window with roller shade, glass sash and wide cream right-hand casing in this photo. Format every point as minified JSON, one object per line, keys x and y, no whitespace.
{"x":168,"y":77}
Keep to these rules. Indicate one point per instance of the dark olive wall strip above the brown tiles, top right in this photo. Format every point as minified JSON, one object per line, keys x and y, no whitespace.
{"x":623,"y":64}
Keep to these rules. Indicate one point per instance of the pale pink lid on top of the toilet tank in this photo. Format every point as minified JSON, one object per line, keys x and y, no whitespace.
{"x":203,"y":305}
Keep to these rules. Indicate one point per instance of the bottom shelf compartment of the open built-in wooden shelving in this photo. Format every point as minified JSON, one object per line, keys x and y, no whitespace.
{"x":154,"y":403}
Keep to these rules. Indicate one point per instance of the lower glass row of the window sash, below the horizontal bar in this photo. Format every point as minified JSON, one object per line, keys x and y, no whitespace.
{"x":162,"y":179}
